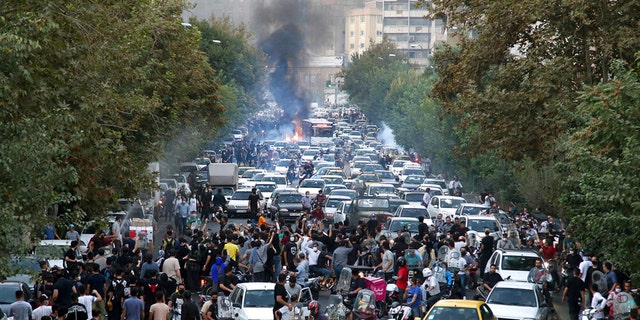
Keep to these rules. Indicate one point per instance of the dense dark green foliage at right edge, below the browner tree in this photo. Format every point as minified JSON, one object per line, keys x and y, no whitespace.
{"x":602,"y":188}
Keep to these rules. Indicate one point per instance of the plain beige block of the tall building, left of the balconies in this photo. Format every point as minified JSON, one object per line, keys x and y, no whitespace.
{"x":363,"y":26}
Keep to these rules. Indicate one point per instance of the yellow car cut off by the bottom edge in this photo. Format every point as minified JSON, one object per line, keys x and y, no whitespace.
{"x":450,"y":309}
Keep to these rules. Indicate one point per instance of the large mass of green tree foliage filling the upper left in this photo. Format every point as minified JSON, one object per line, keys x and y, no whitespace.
{"x":90,"y":92}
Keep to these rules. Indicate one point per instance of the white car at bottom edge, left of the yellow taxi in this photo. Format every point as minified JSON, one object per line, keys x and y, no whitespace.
{"x":249,"y":301}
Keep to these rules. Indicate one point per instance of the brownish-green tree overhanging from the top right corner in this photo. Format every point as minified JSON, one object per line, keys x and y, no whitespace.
{"x":515,"y":76}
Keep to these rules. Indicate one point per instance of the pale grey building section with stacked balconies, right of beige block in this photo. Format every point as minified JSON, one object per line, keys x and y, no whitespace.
{"x":413,"y":34}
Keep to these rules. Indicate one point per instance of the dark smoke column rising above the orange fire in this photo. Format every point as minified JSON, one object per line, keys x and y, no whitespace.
{"x":284,"y":29}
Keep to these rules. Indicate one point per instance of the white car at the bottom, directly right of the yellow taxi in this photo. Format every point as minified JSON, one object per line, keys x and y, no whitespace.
{"x":511,"y":300}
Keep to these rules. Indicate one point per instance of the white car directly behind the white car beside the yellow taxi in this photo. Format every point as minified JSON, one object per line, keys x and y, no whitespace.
{"x":514,"y":264}
